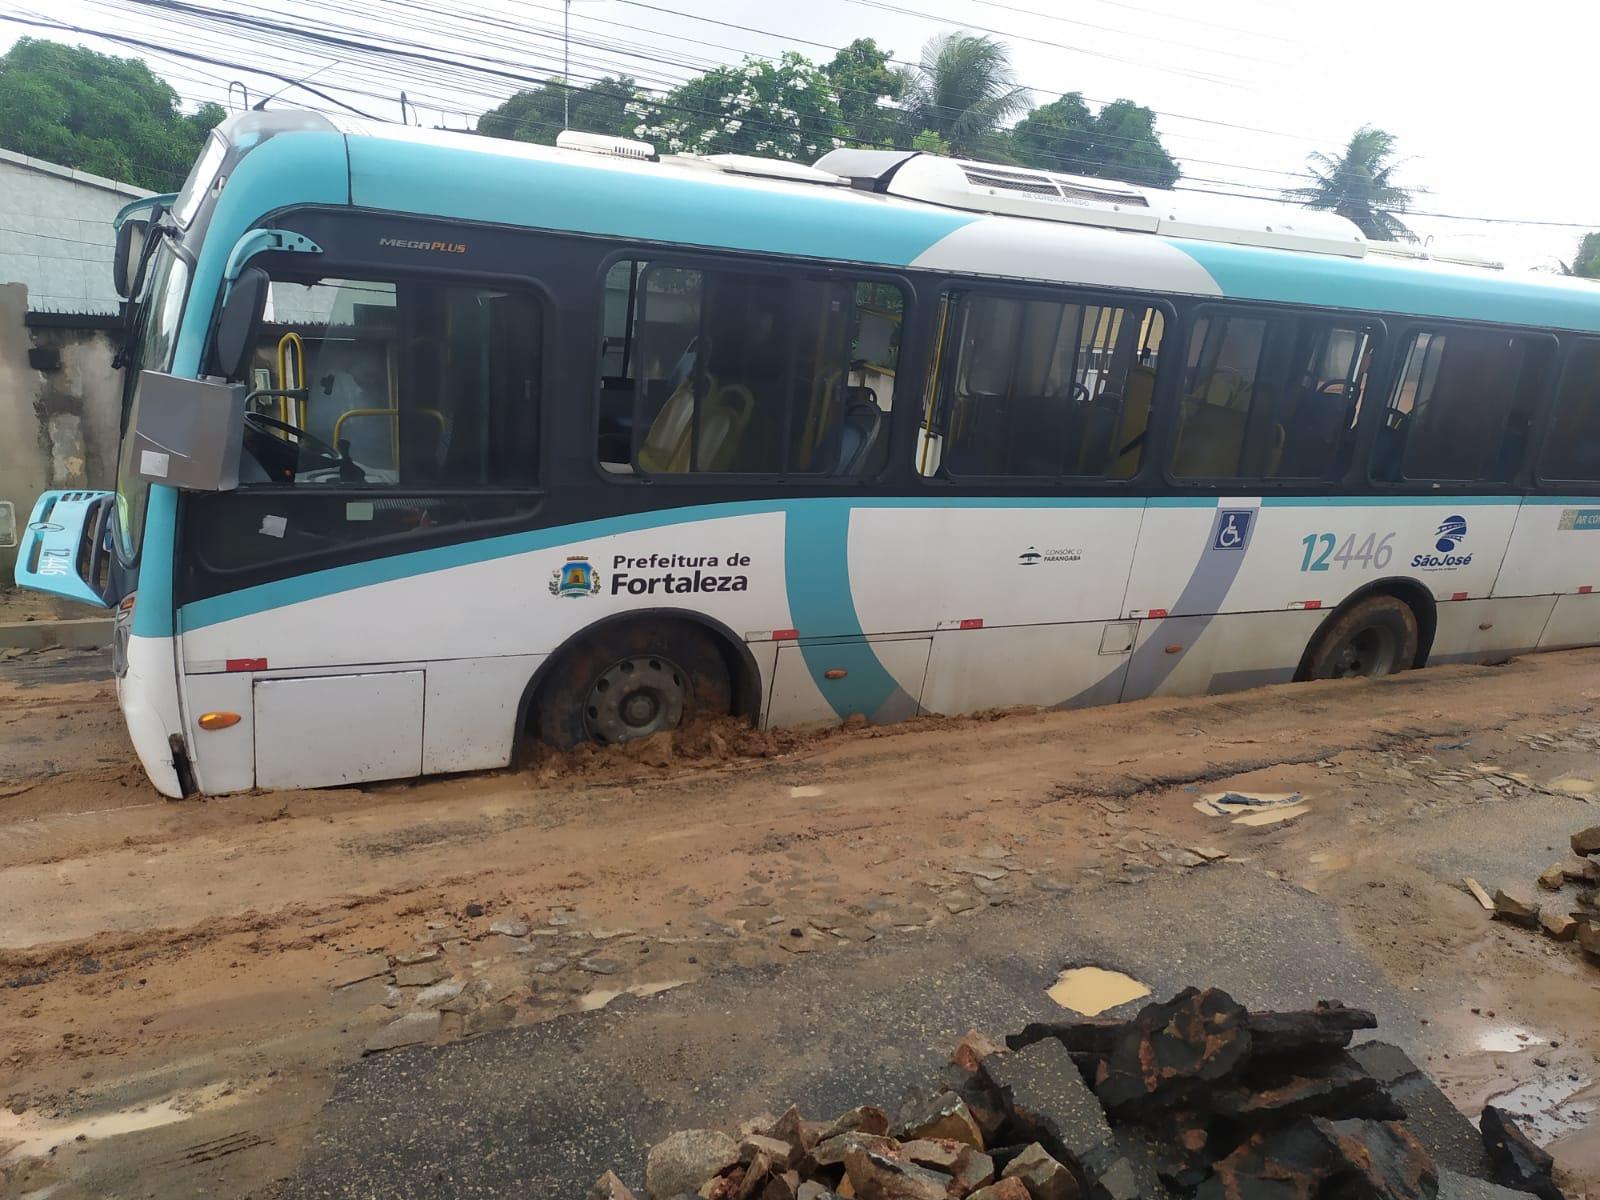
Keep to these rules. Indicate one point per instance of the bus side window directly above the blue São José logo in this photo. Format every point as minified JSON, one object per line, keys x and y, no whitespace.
{"x":1462,"y":407}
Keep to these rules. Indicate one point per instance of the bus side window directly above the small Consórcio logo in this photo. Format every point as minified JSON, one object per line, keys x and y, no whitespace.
{"x":1039,"y":388}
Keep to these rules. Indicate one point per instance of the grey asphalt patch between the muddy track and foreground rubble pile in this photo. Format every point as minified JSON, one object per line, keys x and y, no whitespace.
{"x":543,"y":1111}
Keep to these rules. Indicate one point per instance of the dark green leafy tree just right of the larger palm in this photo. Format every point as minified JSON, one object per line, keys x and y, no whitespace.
{"x":1116,"y":143}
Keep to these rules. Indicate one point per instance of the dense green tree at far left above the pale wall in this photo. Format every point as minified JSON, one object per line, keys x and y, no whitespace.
{"x":100,"y":114}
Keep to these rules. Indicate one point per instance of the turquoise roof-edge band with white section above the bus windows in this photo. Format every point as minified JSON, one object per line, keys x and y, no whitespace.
{"x":471,"y":178}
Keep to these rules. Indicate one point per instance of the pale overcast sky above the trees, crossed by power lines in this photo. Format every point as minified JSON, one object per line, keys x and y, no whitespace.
{"x":1494,"y":105}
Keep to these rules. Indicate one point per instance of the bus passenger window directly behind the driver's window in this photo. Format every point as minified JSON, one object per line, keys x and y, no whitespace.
{"x":746,"y":372}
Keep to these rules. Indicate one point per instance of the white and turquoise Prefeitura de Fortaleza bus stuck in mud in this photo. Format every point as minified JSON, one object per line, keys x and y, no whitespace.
{"x":433,"y":442}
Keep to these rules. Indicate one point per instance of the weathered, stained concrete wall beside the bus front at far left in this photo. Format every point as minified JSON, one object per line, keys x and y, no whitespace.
{"x":58,"y":426}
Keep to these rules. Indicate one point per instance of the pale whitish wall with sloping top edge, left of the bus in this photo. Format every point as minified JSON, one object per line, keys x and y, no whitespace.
{"x":57,"y":236}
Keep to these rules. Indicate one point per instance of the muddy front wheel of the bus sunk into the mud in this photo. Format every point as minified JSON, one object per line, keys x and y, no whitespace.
{"x":633,"y":682}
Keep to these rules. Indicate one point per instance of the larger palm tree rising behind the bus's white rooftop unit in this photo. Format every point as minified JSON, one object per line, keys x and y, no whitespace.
{"x":962,"y":92}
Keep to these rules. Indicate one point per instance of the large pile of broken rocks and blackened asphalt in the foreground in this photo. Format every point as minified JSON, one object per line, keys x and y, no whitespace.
{"x":1196,"y":1098}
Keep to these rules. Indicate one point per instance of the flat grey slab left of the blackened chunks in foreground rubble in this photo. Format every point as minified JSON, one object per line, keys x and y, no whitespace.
{"x":1049,"y":1102}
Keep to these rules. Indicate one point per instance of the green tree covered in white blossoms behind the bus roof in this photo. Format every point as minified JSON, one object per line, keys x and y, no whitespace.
{"x":780,"y":110}
